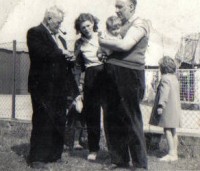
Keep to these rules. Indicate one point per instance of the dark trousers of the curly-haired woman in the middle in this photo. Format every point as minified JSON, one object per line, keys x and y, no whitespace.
{"x":93,"y":86}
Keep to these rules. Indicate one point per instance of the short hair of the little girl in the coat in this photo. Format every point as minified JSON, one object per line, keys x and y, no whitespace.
{"x":167,"y":65}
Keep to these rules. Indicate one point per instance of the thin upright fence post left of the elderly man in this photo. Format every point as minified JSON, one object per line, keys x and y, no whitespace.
{"x":14,"y":79}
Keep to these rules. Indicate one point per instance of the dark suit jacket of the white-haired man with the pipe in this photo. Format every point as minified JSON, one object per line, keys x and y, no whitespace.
{"x":49,"y":69}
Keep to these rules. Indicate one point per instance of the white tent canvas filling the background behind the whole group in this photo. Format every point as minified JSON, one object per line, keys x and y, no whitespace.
{"x":170,"y":20}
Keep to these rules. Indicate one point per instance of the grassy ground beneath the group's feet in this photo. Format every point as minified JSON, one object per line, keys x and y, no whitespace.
{"x":14,"y":148}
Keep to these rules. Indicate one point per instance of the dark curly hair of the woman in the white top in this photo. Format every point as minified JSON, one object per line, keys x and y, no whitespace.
{"x":86,"y":17}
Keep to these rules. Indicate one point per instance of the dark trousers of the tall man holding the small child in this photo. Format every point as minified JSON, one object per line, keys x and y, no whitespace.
{"x":124,"y":128}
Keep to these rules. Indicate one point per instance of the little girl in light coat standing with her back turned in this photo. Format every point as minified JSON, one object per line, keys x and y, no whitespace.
{"x":166,"y":111}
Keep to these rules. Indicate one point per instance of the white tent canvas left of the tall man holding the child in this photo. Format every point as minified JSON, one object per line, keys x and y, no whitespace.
{"x":29,"y":13}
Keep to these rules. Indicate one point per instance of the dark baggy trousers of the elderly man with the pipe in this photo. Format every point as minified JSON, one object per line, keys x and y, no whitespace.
{"x":48,"y":125}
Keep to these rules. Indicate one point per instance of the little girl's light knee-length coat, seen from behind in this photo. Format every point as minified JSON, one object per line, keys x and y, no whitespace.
{"x":168,"y":95}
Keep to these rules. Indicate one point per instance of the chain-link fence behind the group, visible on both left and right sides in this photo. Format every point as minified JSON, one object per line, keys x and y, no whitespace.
{"x":15,"y":100}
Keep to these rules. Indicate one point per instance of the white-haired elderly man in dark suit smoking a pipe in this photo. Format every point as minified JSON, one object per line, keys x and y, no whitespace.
{"x":49,"y":79}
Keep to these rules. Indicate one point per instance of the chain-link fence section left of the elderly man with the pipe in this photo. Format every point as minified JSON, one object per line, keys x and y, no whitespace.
{"x":14,"y":97}
